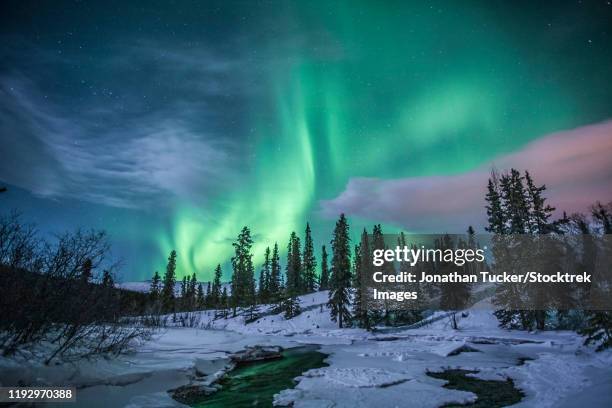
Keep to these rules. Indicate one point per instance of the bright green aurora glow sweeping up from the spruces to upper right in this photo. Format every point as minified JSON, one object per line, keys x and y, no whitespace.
{"x":419,"y":91}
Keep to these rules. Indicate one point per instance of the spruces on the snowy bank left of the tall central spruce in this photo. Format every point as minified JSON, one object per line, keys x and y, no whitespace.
{"x":273,"y":285}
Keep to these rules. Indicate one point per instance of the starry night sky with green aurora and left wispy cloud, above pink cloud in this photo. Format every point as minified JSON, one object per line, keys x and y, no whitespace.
{"x":174,"y":124}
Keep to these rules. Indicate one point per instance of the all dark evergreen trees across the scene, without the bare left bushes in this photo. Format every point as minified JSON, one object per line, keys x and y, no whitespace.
{"x":515,"y":206}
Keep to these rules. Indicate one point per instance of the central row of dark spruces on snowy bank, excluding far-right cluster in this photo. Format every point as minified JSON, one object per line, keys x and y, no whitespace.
{"x":282,"y":287}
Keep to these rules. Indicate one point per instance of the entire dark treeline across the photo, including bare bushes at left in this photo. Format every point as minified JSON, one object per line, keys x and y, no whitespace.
{"x":63,"y":292}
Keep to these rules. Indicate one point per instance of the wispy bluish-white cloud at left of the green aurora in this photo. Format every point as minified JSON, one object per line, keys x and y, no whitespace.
{"x":139,"y":163}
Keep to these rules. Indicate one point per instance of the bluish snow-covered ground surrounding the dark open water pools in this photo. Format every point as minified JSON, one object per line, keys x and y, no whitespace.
{"x":388,"y":369}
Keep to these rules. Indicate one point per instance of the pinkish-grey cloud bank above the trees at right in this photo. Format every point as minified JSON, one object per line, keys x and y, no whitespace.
{"x":575,"y":165}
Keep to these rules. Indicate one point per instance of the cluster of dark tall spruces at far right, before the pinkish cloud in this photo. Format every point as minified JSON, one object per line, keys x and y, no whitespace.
{"x":516,"y":207}
